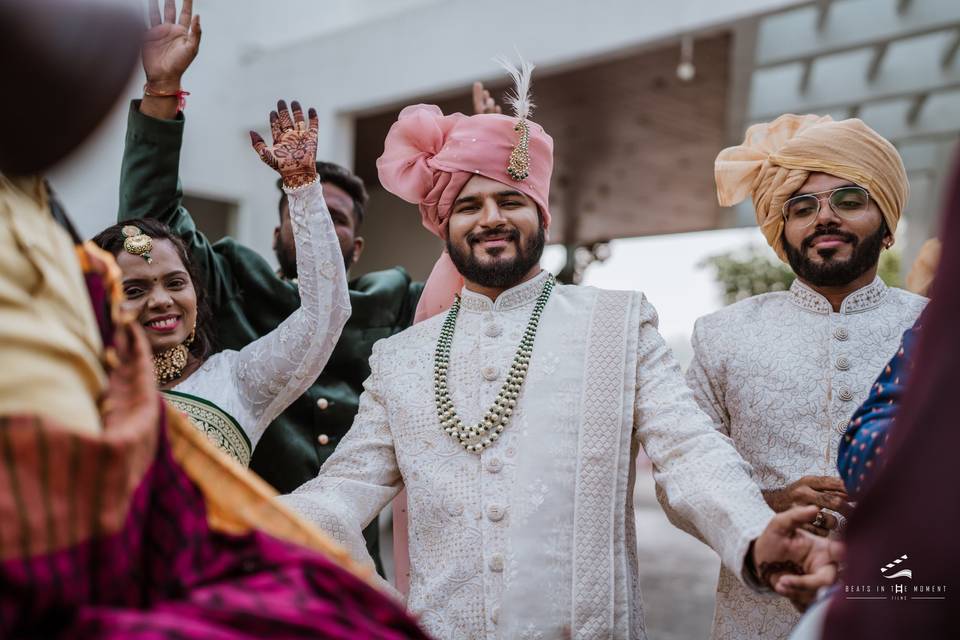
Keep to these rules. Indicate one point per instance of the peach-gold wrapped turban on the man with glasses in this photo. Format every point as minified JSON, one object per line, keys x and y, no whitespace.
{"x":776,"y":158}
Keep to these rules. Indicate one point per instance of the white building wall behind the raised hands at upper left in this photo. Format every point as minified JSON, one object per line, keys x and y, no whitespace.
{"x":367,"y":54}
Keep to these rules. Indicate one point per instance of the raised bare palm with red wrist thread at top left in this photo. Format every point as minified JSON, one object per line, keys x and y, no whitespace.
{"x":170,"y":45}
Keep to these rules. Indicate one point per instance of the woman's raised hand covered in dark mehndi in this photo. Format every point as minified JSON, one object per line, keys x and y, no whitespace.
{"x":294,"y":151}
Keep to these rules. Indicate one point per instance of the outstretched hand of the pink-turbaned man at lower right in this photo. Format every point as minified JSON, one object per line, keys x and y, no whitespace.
{"x":793,"y":562}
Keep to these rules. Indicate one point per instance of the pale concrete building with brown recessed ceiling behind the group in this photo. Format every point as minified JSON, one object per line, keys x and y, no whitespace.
{"x":639,"y":96}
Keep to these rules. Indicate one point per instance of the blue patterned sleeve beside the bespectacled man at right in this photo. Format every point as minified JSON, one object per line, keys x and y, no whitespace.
{"x":862,"y":448}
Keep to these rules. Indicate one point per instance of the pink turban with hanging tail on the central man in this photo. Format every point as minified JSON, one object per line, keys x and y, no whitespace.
{"x":428,"y":158}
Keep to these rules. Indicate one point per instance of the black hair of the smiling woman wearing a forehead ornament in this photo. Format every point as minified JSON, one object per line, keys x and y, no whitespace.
{"x":111,"y":239}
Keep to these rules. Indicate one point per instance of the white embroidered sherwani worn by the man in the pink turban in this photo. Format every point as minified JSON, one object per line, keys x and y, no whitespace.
{"x":534,"y":537}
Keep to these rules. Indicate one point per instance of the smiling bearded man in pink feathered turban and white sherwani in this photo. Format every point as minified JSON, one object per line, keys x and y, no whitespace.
{"x":513,"y":415}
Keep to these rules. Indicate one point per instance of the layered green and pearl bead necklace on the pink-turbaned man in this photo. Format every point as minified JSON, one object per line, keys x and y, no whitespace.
{"x":477,"y":437}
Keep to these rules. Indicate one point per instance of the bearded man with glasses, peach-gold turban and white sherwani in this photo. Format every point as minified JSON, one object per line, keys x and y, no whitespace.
{"x":782,"y":373}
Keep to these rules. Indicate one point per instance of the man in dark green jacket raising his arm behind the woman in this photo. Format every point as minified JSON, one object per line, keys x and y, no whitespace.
{"x":248,"y":297}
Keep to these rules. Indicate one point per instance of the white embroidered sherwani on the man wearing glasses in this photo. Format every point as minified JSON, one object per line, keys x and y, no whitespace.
{"x":781,"y":374}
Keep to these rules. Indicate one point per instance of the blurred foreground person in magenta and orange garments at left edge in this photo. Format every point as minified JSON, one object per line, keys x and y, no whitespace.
{"x":117,"y":519}
